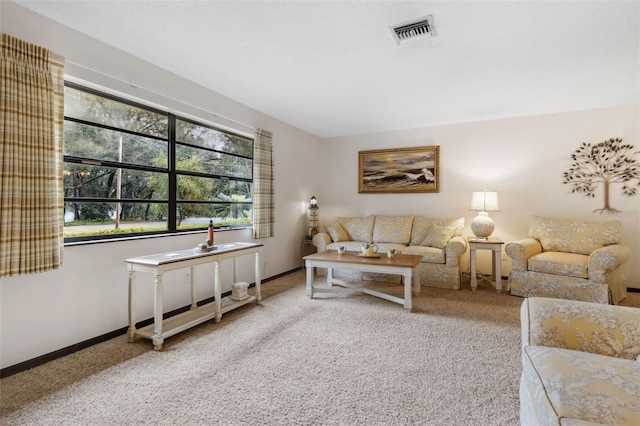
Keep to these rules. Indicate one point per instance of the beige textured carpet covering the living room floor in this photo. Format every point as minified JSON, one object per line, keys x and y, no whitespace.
{"x":355,"y":360}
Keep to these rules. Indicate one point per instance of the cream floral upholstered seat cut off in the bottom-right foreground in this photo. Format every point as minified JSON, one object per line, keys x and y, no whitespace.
{"x":580,"y":363}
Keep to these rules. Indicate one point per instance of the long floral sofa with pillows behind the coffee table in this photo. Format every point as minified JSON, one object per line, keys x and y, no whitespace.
{"x":438,"y":241}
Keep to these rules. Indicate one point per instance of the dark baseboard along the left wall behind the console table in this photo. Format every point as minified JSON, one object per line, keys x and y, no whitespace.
{"x":43,"y":359}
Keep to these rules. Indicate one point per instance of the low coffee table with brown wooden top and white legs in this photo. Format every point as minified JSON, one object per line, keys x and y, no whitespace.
{"x":403,"y":264}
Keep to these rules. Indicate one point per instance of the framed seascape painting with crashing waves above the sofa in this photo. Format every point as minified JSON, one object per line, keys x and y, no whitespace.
{"x":399,"y":170}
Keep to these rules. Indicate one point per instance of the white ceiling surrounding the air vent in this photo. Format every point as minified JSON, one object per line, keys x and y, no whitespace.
{"x":333,"y":68}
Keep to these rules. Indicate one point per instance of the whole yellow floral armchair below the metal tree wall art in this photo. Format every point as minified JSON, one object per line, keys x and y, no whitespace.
{"x":569,"y":259}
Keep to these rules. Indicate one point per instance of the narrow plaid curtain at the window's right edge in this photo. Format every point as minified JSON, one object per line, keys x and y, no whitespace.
{"x":263,"y":186}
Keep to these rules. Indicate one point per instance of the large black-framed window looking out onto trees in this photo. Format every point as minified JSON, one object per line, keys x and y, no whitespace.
{"x":134,"y":170}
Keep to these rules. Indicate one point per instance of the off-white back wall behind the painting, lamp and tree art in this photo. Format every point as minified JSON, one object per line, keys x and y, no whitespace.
{"x":521,"y":158}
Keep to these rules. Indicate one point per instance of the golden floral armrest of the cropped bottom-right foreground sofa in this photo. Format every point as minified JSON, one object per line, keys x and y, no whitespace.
{"x":583,"y":326}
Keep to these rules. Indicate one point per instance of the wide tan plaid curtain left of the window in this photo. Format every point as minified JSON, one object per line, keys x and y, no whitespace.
{"x":31,"y":191}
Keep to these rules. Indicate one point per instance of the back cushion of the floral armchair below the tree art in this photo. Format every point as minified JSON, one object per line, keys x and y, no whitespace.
{"x":574,"y":236}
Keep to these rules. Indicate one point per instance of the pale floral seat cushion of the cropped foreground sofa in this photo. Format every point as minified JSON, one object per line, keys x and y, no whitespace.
{"x":580,"y":385}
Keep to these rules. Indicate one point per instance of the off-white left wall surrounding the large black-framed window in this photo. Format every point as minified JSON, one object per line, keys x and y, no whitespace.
{"x":87,"y":296}
